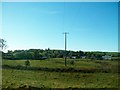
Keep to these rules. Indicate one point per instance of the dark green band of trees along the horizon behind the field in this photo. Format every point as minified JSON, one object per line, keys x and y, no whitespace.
{"x":39,"y":54}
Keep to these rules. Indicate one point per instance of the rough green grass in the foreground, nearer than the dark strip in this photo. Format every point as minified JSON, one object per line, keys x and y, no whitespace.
{"x":18,"y":78}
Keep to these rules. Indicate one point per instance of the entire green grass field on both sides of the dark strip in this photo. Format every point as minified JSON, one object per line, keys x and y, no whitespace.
{"x":15,"y":78}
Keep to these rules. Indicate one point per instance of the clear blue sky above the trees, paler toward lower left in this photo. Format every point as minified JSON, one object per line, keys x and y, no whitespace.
{"x":92,"y":26}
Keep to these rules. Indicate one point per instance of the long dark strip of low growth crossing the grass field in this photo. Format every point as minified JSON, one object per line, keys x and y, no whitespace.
{"x":84,"y":70}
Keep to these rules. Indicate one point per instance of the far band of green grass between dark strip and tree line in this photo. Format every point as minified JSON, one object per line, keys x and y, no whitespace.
{"x":79,"y":64}
